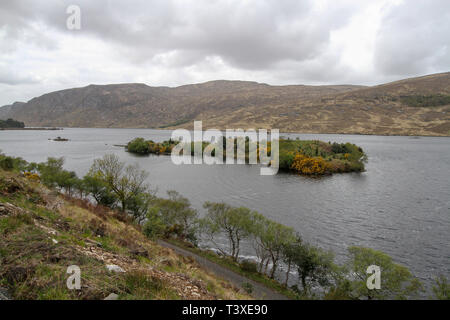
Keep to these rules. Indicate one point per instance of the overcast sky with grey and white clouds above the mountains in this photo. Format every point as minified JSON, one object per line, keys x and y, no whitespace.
{"x":175,"y":42}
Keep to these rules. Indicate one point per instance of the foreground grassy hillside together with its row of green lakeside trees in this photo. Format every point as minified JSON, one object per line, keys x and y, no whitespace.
{"x":109,"y":221}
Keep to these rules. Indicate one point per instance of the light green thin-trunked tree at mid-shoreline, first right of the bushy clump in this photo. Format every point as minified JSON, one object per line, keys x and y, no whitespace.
{"x":235,"y":223}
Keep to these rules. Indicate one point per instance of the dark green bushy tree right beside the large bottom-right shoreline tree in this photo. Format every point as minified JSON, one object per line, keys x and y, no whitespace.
{"x":314,"y":265}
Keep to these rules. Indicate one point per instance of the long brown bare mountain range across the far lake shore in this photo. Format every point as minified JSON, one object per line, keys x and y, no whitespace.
{"x":417,"y":106}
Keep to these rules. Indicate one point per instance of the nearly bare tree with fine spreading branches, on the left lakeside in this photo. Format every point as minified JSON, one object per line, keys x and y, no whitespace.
{"x":124,"y":182}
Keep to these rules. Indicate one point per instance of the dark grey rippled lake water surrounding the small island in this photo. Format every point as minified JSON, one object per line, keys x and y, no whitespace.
{"x":400,"y":205}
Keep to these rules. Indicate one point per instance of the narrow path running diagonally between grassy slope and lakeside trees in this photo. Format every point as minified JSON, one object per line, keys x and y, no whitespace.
{"x":259,"y":290}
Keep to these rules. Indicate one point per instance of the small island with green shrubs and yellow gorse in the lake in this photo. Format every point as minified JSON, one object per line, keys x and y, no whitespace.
{"x":305,"y":157}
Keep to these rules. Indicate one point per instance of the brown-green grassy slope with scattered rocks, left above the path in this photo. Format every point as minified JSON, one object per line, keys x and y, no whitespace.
{"x":42,"y":233}
